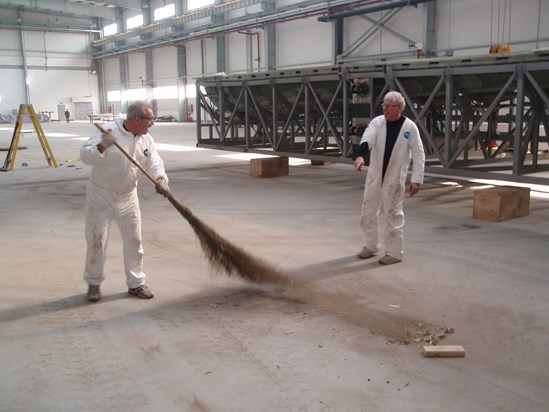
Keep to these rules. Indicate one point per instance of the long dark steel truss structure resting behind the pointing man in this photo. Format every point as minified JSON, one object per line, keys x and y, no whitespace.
{"x":480,"y":116}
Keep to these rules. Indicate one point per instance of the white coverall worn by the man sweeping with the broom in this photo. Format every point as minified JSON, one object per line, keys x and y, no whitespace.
{"x":112,"y":195}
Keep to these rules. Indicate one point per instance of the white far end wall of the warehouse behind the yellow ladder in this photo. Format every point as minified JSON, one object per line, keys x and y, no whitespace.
{"x":57,"y":68}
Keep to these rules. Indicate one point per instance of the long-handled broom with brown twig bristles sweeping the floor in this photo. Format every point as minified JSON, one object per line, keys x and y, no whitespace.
{"x":221,"y":253}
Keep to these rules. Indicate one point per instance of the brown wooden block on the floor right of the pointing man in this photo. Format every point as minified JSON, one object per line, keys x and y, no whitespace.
{"x":501,"y":203}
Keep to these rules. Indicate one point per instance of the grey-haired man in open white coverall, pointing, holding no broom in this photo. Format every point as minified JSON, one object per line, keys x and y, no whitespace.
{"x":392,"y":140}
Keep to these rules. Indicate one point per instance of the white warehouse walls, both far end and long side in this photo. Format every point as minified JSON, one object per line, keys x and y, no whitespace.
{"x":59,"y":63}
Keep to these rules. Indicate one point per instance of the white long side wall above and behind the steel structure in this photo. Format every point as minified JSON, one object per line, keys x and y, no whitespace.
{"x":463,"y":27}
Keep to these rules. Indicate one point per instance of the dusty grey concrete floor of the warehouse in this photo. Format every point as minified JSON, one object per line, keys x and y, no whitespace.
{"x":209,"y":342}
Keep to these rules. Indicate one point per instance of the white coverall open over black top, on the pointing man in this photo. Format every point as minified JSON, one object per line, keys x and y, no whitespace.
{"x":386,"y":195}
